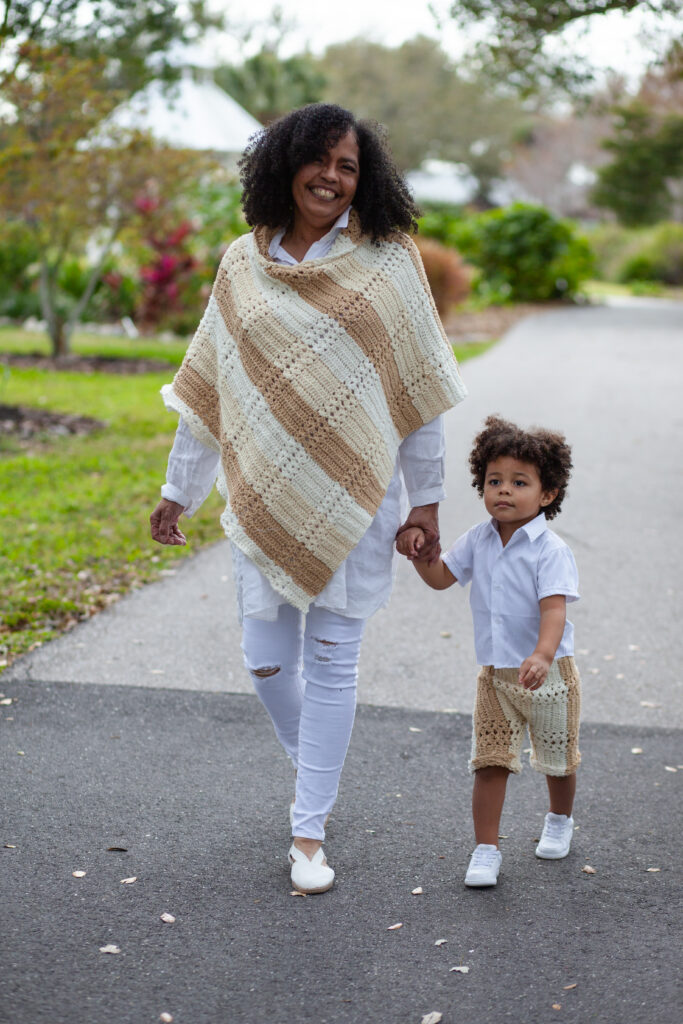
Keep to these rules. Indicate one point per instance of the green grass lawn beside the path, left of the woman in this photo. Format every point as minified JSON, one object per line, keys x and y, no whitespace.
{"x":75,"y":510}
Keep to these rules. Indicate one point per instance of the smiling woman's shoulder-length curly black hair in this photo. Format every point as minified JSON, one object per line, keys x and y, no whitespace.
{"x":383,"y":200}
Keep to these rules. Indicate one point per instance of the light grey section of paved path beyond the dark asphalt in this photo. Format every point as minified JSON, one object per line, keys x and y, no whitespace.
{"x":612,"y":379}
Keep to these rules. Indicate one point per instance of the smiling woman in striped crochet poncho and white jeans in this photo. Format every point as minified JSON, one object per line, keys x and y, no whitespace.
{"x":313,"y":389}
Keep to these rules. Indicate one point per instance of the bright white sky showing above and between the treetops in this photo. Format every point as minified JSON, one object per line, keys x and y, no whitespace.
{"x":612,"y":41}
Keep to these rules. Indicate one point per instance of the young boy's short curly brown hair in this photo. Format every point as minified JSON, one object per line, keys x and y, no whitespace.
{"x":547,"y":451}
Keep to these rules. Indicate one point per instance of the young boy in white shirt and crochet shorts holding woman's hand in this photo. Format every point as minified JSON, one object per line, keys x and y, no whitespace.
{"x":523,"y":575}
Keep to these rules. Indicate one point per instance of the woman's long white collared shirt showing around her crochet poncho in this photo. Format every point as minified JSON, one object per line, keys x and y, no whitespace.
{"x":363,"y":583}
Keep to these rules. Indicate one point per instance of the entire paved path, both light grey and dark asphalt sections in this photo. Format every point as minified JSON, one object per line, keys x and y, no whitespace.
{"x":132,"y":733}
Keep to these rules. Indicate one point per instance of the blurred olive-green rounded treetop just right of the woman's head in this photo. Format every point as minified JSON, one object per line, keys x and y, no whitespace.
{"x":430,"y":109}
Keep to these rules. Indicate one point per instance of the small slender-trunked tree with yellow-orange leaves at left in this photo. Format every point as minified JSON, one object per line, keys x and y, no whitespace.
{"x":73,"y":189}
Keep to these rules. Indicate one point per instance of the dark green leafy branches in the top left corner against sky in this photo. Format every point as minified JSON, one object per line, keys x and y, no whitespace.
{"x":133,"y":35}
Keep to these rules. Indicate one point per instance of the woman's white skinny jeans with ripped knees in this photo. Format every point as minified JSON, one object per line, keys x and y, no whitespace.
{"x":305,"y":669}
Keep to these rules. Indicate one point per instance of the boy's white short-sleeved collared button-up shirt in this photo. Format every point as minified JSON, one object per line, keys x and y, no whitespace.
{"x":507,"y":585}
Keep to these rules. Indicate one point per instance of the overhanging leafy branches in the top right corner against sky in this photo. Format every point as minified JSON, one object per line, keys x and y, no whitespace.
{"x":516,"y":36}
